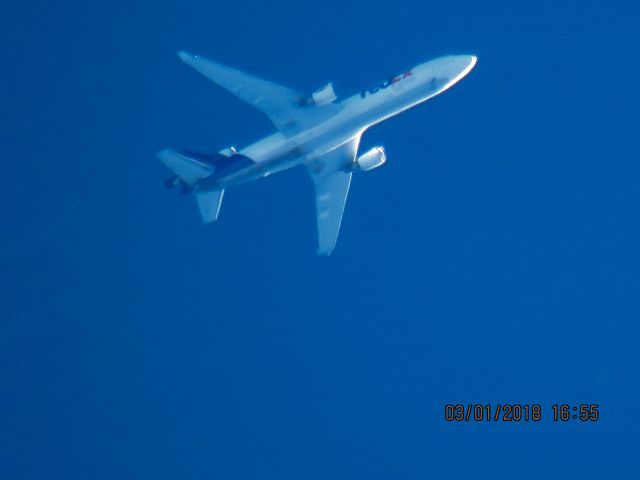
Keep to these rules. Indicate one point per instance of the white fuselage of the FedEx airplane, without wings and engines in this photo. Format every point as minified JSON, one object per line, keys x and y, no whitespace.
{"x":278,"y":152}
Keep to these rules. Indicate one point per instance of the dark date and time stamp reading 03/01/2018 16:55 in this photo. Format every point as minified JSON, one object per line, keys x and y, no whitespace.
{"x":514,"y":412}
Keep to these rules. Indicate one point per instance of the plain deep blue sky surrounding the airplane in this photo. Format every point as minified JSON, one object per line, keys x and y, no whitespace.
{"x":494,"y":259}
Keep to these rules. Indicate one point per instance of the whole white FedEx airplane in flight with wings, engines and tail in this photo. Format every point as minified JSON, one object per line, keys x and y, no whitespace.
{"x":317,"y":131}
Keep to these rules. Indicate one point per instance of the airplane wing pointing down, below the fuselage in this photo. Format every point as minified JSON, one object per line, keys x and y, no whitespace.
{"x":331,"y":176}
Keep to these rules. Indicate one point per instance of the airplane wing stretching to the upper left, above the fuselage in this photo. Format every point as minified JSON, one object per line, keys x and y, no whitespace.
{"x":286,"y":108}
